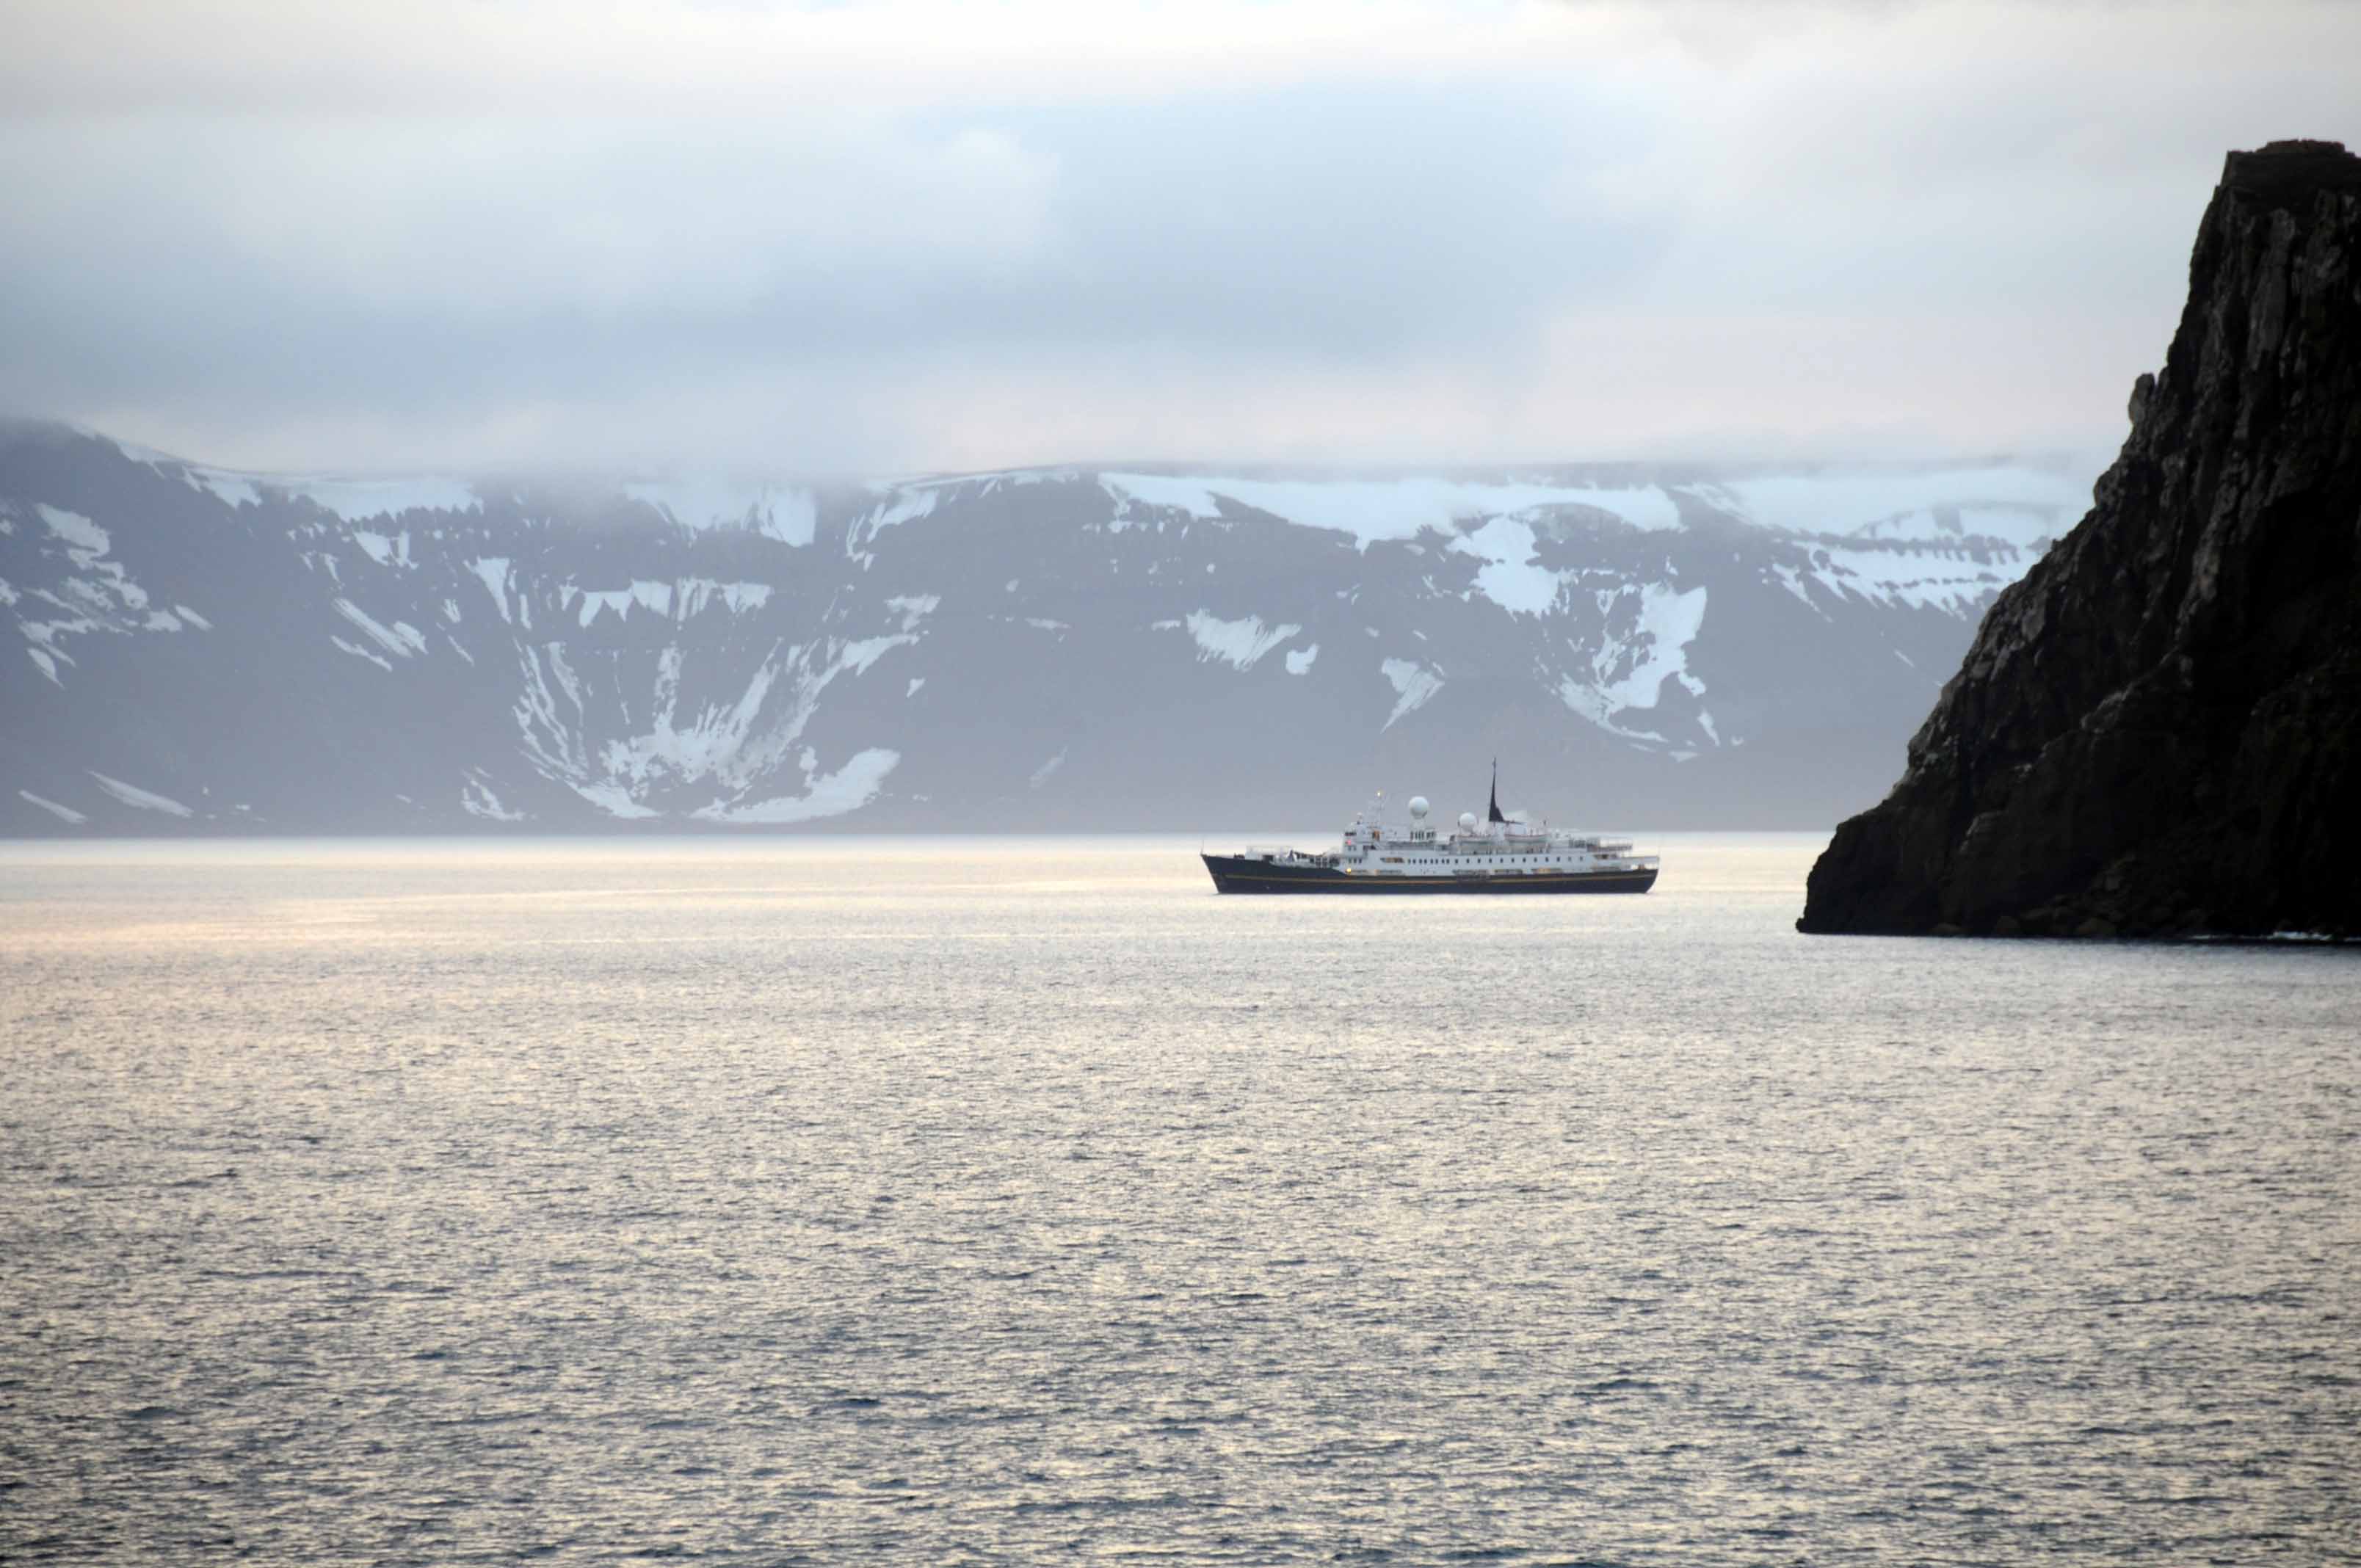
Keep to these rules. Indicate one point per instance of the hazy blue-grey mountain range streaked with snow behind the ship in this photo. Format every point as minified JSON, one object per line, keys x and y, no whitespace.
{"x":207,"y":651}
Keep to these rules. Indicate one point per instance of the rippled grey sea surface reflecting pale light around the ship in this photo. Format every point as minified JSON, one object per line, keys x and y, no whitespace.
{"x":1012,"y":1201}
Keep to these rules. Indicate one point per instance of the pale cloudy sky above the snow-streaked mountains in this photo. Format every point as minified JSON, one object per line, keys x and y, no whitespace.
{"x":915,"y":235}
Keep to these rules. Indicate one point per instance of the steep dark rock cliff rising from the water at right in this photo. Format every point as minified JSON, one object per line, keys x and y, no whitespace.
{"x":2159,"y":729}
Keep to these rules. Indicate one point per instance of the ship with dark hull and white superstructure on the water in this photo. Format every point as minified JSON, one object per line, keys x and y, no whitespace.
{"x":1503,"y":854}
